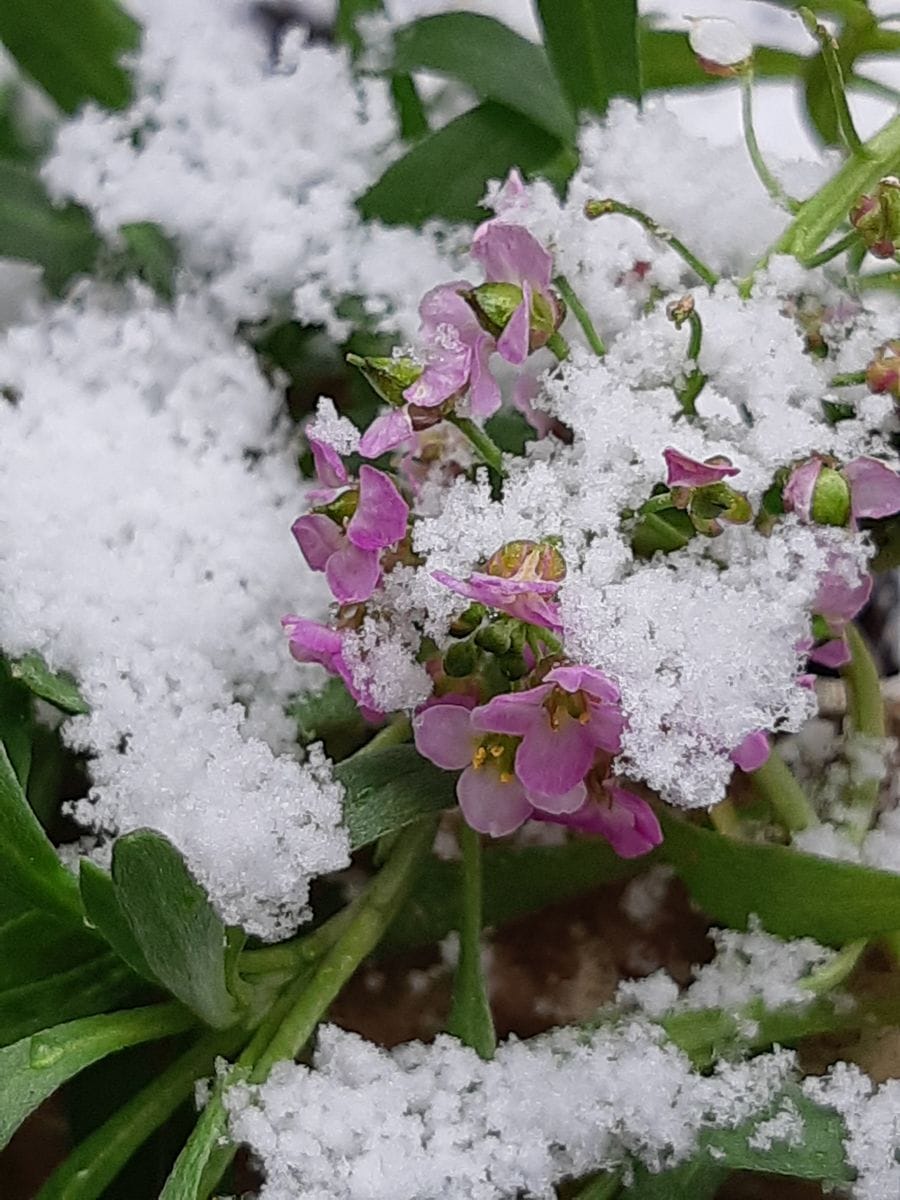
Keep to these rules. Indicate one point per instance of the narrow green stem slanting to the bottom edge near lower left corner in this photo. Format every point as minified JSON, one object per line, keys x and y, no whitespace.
{"x":95,"y":1163}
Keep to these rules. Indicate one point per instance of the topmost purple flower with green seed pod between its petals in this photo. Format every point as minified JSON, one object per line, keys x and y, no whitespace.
{"x":517,"y":303}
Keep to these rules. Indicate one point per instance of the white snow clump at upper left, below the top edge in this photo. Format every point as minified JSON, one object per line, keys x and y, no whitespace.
{"x":254,"y":167}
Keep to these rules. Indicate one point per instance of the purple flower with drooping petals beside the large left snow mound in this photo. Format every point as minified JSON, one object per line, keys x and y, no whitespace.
{"x":351,"y":554}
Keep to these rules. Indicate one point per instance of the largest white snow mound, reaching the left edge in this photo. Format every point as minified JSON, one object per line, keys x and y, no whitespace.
{"x":146,"y":548}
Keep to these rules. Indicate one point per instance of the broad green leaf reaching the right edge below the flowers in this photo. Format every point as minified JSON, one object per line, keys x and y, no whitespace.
{"x":794,"y":895}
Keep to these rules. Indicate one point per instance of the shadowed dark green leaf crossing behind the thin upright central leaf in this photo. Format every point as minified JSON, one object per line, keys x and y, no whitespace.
{"x":517,"y":883}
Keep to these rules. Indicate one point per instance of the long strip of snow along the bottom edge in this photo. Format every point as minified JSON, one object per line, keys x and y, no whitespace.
{"x":419,"y":1121}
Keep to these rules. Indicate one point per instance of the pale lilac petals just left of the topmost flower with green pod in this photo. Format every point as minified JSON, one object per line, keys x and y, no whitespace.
{"x":458,"y":351}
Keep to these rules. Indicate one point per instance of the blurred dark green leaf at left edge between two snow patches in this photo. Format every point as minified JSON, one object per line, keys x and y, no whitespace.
{"x":62,"y":241}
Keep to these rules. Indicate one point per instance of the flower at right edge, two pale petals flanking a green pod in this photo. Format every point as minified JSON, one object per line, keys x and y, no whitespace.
{"x":825,"y":495}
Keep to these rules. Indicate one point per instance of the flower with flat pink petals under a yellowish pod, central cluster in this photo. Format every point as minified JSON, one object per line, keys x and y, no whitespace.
{"x":521,"y":580}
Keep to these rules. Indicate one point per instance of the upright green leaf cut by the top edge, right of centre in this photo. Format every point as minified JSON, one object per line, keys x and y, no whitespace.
{"x":593,"y":47}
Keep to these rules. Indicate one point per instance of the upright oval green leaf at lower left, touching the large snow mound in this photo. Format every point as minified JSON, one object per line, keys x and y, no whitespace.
{"x":182,"y":938}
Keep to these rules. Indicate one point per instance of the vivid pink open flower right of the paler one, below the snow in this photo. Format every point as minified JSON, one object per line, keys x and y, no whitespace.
{"x":562,"y":723}
